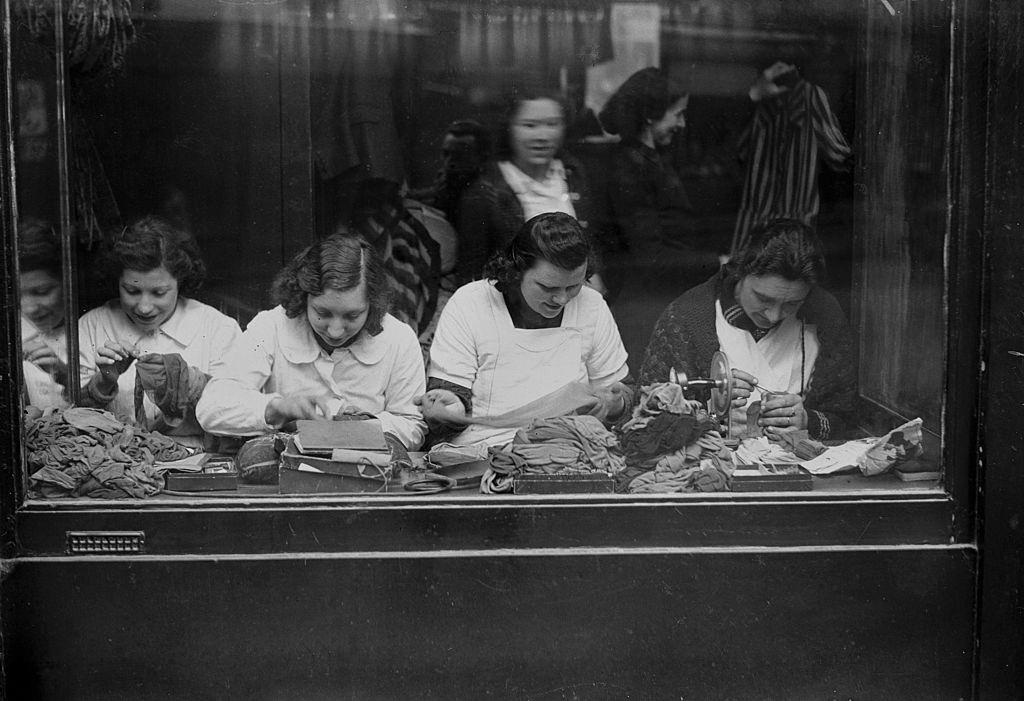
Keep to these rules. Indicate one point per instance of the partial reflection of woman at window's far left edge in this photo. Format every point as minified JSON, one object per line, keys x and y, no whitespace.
{"x":45,"y":339}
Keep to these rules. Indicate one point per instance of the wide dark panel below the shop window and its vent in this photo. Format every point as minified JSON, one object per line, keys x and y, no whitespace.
{"x":891,"y":625}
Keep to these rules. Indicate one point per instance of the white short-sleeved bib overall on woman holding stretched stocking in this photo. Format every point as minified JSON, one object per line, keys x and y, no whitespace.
{"x":477,"y":346}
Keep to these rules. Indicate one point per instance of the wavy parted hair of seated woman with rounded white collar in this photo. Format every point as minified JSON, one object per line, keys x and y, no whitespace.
{"x":340,"y":262}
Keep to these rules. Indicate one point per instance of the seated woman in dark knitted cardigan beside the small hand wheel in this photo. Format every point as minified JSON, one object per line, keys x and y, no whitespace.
{"x":781,"y":330}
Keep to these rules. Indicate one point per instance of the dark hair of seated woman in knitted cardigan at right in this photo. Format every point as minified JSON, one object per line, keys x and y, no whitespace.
{"x":787,"y":248}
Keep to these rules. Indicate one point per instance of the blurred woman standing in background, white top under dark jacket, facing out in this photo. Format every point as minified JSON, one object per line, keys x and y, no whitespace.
{"x":532,"y":176}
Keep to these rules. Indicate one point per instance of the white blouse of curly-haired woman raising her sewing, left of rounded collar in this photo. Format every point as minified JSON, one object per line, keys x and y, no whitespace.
{"x":196,"y":331}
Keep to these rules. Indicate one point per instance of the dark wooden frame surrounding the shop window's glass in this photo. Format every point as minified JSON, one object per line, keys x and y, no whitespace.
{"x":352,"y":524}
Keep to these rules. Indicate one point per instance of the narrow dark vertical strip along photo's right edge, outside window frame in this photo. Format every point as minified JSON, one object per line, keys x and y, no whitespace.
{"x":1002,"y":624}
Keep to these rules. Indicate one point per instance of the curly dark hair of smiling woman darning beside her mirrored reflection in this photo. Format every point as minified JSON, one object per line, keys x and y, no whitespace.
{"x":151,"y":243}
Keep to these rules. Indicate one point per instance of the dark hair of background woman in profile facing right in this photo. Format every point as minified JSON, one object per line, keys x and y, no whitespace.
{"x":644,"y":98}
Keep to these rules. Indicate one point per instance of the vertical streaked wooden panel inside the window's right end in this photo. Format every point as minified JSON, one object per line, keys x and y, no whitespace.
{"x":903,"y":150}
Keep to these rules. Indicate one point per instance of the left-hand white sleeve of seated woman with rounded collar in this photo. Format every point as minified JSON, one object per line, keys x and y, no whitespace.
{"x":234,"y":403}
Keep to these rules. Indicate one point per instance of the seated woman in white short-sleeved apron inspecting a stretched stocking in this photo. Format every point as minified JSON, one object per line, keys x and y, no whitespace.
{"x":529,"y":329}
